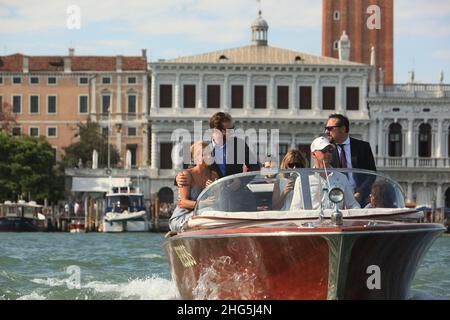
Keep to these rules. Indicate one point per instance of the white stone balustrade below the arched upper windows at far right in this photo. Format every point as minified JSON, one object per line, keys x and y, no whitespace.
{"x":415,"y":162}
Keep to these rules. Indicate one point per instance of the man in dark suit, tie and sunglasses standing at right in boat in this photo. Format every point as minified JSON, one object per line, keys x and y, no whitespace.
{"x":351,"y":153}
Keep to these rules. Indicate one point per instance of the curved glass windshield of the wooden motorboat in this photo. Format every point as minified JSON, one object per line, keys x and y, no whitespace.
{"x":300,"y":189}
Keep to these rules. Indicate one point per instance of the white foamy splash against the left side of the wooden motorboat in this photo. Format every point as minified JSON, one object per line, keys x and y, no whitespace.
{"x":151,"y":288}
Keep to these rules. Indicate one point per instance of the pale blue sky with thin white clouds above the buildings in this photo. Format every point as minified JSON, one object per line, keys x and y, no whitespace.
{"x":172,"y":28}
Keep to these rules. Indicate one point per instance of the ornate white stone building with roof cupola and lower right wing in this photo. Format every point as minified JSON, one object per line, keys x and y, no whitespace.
{"x":264,"y":87}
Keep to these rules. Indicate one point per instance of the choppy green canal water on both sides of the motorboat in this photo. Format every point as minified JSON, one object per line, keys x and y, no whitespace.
{"x":132,"y":266}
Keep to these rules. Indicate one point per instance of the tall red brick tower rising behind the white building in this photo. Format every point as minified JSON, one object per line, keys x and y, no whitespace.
{"x":368,"y":23}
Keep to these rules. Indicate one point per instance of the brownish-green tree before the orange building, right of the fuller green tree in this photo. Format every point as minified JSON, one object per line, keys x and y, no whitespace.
{"x":90,"y":139}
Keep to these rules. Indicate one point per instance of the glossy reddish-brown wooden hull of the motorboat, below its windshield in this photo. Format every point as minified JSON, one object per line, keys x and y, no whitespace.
{"x":280,"y":260}
